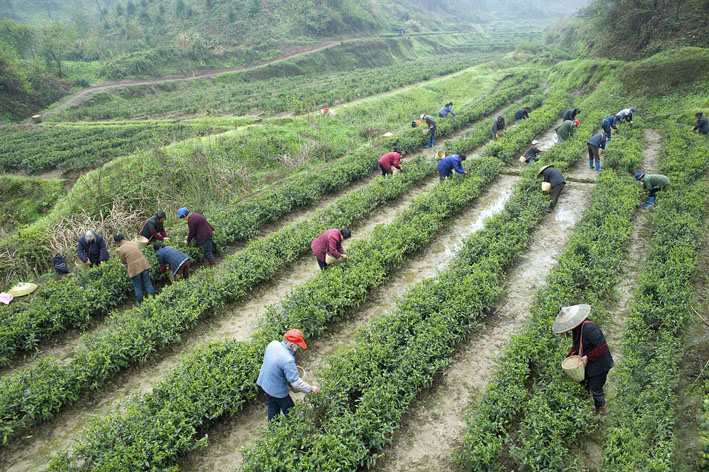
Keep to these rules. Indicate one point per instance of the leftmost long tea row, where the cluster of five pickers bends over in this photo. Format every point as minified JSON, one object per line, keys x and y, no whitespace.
{"x":73,"y":301}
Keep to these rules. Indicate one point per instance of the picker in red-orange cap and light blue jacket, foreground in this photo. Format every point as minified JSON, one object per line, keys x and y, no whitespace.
{"x":279,"y":369}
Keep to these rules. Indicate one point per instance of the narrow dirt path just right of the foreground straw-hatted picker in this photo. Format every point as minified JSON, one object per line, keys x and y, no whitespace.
{"x":590,"y":449}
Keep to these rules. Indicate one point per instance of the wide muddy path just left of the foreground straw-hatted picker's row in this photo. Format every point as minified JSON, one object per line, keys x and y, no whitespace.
{"x":433,"y":429}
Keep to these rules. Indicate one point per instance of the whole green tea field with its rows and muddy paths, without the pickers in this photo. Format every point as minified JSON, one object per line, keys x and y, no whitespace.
{"x":432,"y":342}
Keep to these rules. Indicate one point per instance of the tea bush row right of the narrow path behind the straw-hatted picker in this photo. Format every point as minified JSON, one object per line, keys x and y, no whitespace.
{"x":644,"y":413}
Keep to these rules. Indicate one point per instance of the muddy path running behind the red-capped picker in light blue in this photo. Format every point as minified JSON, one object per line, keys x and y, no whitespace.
{"x":228,"y":436}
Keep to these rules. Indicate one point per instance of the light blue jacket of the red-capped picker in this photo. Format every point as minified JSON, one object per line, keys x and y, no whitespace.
{"x":278,"y":370}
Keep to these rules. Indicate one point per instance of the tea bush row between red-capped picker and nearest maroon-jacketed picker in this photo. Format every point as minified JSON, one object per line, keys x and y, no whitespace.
{"x":135,"y":439}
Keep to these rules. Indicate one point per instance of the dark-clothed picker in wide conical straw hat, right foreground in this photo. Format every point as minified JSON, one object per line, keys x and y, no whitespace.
{"x":590,"y":344}
